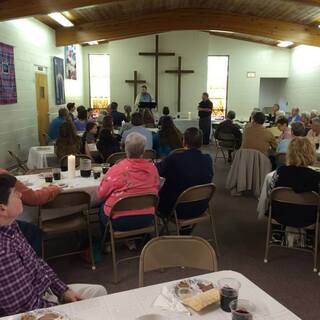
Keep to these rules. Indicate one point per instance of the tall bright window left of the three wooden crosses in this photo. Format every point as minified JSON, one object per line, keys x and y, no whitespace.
{"x":99,"y":66}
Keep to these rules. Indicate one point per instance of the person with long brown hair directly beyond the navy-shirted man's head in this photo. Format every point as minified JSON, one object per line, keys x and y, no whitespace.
{"x":167,"y":139}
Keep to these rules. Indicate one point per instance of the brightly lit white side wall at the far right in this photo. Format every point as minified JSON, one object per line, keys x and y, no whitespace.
{"x":303,"y":86}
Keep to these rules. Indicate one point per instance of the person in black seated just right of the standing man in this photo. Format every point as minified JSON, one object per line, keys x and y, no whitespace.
{"x":227,"y":126}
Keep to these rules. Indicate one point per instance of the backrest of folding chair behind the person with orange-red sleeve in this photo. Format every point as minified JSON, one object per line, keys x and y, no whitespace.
{"x":68,"y":202}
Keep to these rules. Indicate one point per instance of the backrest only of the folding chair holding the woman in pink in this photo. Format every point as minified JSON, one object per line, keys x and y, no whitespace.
{"x":135,"y":202}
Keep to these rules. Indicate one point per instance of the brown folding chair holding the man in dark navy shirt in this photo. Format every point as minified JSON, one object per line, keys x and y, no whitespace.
{"x":193,"y":194}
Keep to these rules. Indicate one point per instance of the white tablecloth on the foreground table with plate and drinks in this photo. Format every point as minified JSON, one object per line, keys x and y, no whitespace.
{"x":128,"y":305}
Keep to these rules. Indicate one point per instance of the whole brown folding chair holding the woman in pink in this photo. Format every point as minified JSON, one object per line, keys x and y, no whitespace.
{"x":129,"y":203}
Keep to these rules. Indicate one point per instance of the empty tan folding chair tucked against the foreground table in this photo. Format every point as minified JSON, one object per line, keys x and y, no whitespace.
{"x":176,"y":251}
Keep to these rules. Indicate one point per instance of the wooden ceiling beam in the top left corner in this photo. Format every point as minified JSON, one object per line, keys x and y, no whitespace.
{"x":12,"y":9}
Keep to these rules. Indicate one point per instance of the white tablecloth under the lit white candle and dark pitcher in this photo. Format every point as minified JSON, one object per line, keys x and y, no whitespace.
{"x":36,"y":181}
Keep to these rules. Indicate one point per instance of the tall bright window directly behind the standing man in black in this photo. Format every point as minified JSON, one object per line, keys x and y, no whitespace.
{"x":217,"y":84}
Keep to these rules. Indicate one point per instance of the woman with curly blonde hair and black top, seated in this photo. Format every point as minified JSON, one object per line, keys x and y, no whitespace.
{"x":297,"y":175}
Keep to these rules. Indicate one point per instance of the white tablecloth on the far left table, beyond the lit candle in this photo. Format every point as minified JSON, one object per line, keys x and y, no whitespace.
{"x":38,"y":157}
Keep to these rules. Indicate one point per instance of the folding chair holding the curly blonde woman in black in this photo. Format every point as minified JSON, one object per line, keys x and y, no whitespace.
{"x":288,"y":196}
